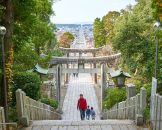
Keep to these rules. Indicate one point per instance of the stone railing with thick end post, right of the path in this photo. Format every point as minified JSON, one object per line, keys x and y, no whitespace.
{"x":132,"y":108}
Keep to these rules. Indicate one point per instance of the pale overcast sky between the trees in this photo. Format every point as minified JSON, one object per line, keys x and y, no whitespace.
{"x":74,"y":11}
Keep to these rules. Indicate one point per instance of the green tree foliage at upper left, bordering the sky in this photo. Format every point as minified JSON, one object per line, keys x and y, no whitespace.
{"x":32,"y":23}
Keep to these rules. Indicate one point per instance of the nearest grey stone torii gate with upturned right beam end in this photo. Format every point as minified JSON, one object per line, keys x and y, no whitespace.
{"x":57,"y":69}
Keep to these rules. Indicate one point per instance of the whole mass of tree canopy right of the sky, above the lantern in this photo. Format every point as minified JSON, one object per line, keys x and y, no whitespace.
{"x":131,"y":32}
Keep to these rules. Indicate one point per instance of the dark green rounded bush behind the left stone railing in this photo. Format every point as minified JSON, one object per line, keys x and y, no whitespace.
{"x":29,"y":83}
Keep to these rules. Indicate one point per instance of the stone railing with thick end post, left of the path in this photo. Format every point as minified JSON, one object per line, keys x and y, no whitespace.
{"x":29,"y":109}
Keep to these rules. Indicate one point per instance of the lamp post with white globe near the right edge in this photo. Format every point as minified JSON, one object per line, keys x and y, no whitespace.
{"x":157,"y":25}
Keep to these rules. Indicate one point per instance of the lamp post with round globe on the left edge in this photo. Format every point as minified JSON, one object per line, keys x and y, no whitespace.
{"x":4,"y":87}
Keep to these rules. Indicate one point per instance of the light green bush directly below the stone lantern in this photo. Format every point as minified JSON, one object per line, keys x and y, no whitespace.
{"x":113,"y":96}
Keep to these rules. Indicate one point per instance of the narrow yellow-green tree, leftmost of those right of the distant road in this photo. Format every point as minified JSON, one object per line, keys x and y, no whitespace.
{"x":98,"y":33}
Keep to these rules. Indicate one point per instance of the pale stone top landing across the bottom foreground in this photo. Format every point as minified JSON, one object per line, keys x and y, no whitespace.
{"x":83,"y":125}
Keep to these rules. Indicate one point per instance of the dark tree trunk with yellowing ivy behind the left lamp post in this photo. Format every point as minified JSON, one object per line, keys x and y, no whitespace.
{"x":6,"y":12}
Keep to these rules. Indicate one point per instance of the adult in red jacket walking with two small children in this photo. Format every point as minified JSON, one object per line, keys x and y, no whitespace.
{"x":84,"y":109}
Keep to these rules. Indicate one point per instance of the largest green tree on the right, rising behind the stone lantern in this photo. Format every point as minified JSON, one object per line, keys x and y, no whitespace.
{"x":135,"y":39}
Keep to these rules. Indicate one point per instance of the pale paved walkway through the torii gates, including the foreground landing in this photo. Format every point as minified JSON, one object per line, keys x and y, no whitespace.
{"x":71,"y":117}
